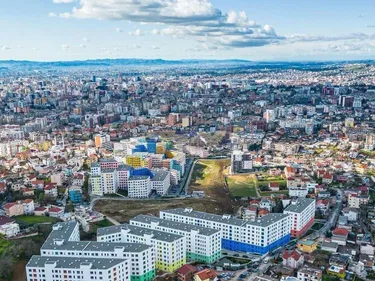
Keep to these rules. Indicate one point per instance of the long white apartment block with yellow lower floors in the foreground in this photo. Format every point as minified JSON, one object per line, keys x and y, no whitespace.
{"x":170,"y":249}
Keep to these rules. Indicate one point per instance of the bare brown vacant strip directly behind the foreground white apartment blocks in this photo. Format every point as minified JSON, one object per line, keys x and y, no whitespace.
{"x":123,"y":211}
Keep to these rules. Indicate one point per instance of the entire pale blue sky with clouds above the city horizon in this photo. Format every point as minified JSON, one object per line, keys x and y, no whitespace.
{"x":257,"y":30}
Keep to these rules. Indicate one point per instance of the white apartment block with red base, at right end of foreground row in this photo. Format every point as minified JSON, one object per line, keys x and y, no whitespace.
{"x":302,"y":214}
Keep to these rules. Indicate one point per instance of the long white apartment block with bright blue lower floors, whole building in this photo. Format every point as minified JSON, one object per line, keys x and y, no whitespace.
{"x":258,"y":236}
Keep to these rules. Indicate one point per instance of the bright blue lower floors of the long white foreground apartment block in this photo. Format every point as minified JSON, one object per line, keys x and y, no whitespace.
{"x":249,"y":248}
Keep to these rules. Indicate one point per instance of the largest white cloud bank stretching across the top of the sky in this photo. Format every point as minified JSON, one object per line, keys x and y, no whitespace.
{"x":193,"y":18}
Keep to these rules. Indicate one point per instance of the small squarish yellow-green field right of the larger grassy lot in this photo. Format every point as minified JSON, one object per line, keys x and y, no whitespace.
{"x":242,"y":185}
